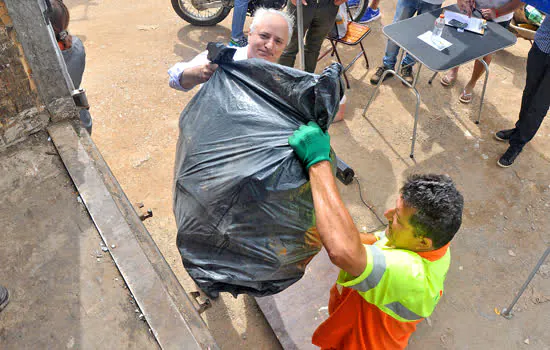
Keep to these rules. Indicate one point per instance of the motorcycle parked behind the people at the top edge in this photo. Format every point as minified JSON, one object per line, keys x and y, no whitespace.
{"x":212,"y":12}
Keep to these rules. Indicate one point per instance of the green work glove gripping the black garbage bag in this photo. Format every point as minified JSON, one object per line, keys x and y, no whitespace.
{"x":311,"y":144}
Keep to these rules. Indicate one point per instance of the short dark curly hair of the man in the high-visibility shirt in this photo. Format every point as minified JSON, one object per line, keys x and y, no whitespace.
{"x":438,"y":207}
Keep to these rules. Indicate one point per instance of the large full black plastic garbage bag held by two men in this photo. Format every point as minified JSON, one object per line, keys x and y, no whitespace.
{"x":242,"y":201}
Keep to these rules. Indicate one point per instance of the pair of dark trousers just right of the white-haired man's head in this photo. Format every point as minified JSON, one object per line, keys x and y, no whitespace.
{"x":319,"y":19}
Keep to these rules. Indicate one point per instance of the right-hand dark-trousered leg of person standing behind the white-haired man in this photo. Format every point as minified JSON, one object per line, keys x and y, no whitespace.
{"x":324,"y":17}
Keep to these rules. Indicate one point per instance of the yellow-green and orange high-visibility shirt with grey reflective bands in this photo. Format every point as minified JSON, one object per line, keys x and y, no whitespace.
{"x":380,"y":308}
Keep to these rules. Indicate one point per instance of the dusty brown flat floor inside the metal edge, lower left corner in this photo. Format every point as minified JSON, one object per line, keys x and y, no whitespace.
{"x":65,"y":291}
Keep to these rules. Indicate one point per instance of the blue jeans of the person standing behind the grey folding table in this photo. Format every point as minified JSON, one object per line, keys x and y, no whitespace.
{"x":405,"y":9}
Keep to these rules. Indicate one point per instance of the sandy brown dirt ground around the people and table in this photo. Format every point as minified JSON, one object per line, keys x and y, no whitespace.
{"x":130,"y":46}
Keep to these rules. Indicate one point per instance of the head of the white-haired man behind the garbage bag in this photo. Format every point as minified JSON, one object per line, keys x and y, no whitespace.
{"x":269,"y":34}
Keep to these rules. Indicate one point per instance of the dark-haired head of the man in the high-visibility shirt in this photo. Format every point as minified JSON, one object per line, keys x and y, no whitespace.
{"x":427,"y":215}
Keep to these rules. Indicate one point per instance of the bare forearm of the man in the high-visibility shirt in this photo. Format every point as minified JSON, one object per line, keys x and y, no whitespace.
{"x":334,"y":223}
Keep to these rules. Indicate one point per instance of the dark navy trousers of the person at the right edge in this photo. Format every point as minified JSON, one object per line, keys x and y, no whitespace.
{"x":536,"y":97}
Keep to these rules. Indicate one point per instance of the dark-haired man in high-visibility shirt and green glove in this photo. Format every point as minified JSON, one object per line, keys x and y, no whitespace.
{"x":392,"y":280}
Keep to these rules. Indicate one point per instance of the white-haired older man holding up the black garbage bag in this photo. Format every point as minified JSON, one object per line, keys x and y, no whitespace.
{"x":269,"y":34}
